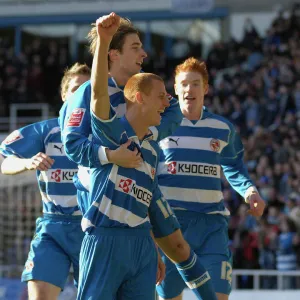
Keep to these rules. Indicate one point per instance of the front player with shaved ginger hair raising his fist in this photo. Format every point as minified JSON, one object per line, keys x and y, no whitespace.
{"x":118,"y":258}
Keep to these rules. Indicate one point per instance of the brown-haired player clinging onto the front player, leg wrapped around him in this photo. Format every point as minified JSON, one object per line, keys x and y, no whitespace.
{"x":125,"y":57}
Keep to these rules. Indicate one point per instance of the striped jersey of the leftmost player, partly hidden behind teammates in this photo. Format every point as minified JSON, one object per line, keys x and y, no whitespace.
{"x":56,"y":185}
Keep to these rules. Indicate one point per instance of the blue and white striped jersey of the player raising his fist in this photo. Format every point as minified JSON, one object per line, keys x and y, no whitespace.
{"x":120,"y":197}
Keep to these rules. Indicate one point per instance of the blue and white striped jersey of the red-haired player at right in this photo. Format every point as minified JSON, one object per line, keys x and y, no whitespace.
{"x":189,"y":172}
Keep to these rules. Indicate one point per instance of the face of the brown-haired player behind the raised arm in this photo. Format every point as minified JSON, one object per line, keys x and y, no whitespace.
{"x":132,"y":56}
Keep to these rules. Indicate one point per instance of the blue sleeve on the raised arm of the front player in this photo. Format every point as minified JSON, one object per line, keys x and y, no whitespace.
{"x":107,"y":132}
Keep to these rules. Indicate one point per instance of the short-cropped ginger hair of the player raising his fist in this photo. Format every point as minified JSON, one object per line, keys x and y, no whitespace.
{"x":141,"y":82}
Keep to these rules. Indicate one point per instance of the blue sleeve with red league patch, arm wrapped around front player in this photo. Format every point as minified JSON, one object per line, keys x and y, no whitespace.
{"x":75,"y":123}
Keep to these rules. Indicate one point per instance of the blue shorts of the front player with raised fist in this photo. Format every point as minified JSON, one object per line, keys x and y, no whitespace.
{"x":117,"y":263}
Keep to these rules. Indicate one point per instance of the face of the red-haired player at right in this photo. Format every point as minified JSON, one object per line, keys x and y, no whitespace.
{"x":190,"y":89}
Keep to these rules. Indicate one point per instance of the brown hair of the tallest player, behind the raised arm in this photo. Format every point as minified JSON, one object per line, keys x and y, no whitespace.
{"x":117,"y":42}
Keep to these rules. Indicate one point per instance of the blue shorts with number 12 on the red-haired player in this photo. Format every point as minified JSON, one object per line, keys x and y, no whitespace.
{"x":208,"y":237}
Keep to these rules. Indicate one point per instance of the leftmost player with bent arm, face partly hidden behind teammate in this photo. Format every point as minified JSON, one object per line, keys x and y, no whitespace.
{"x":58,"y":236}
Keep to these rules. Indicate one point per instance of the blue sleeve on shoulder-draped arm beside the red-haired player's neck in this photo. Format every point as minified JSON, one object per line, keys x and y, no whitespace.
{"x":170,"y":120}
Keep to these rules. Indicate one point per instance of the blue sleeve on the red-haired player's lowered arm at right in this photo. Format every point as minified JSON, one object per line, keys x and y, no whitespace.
{"x":233,"y":165}
